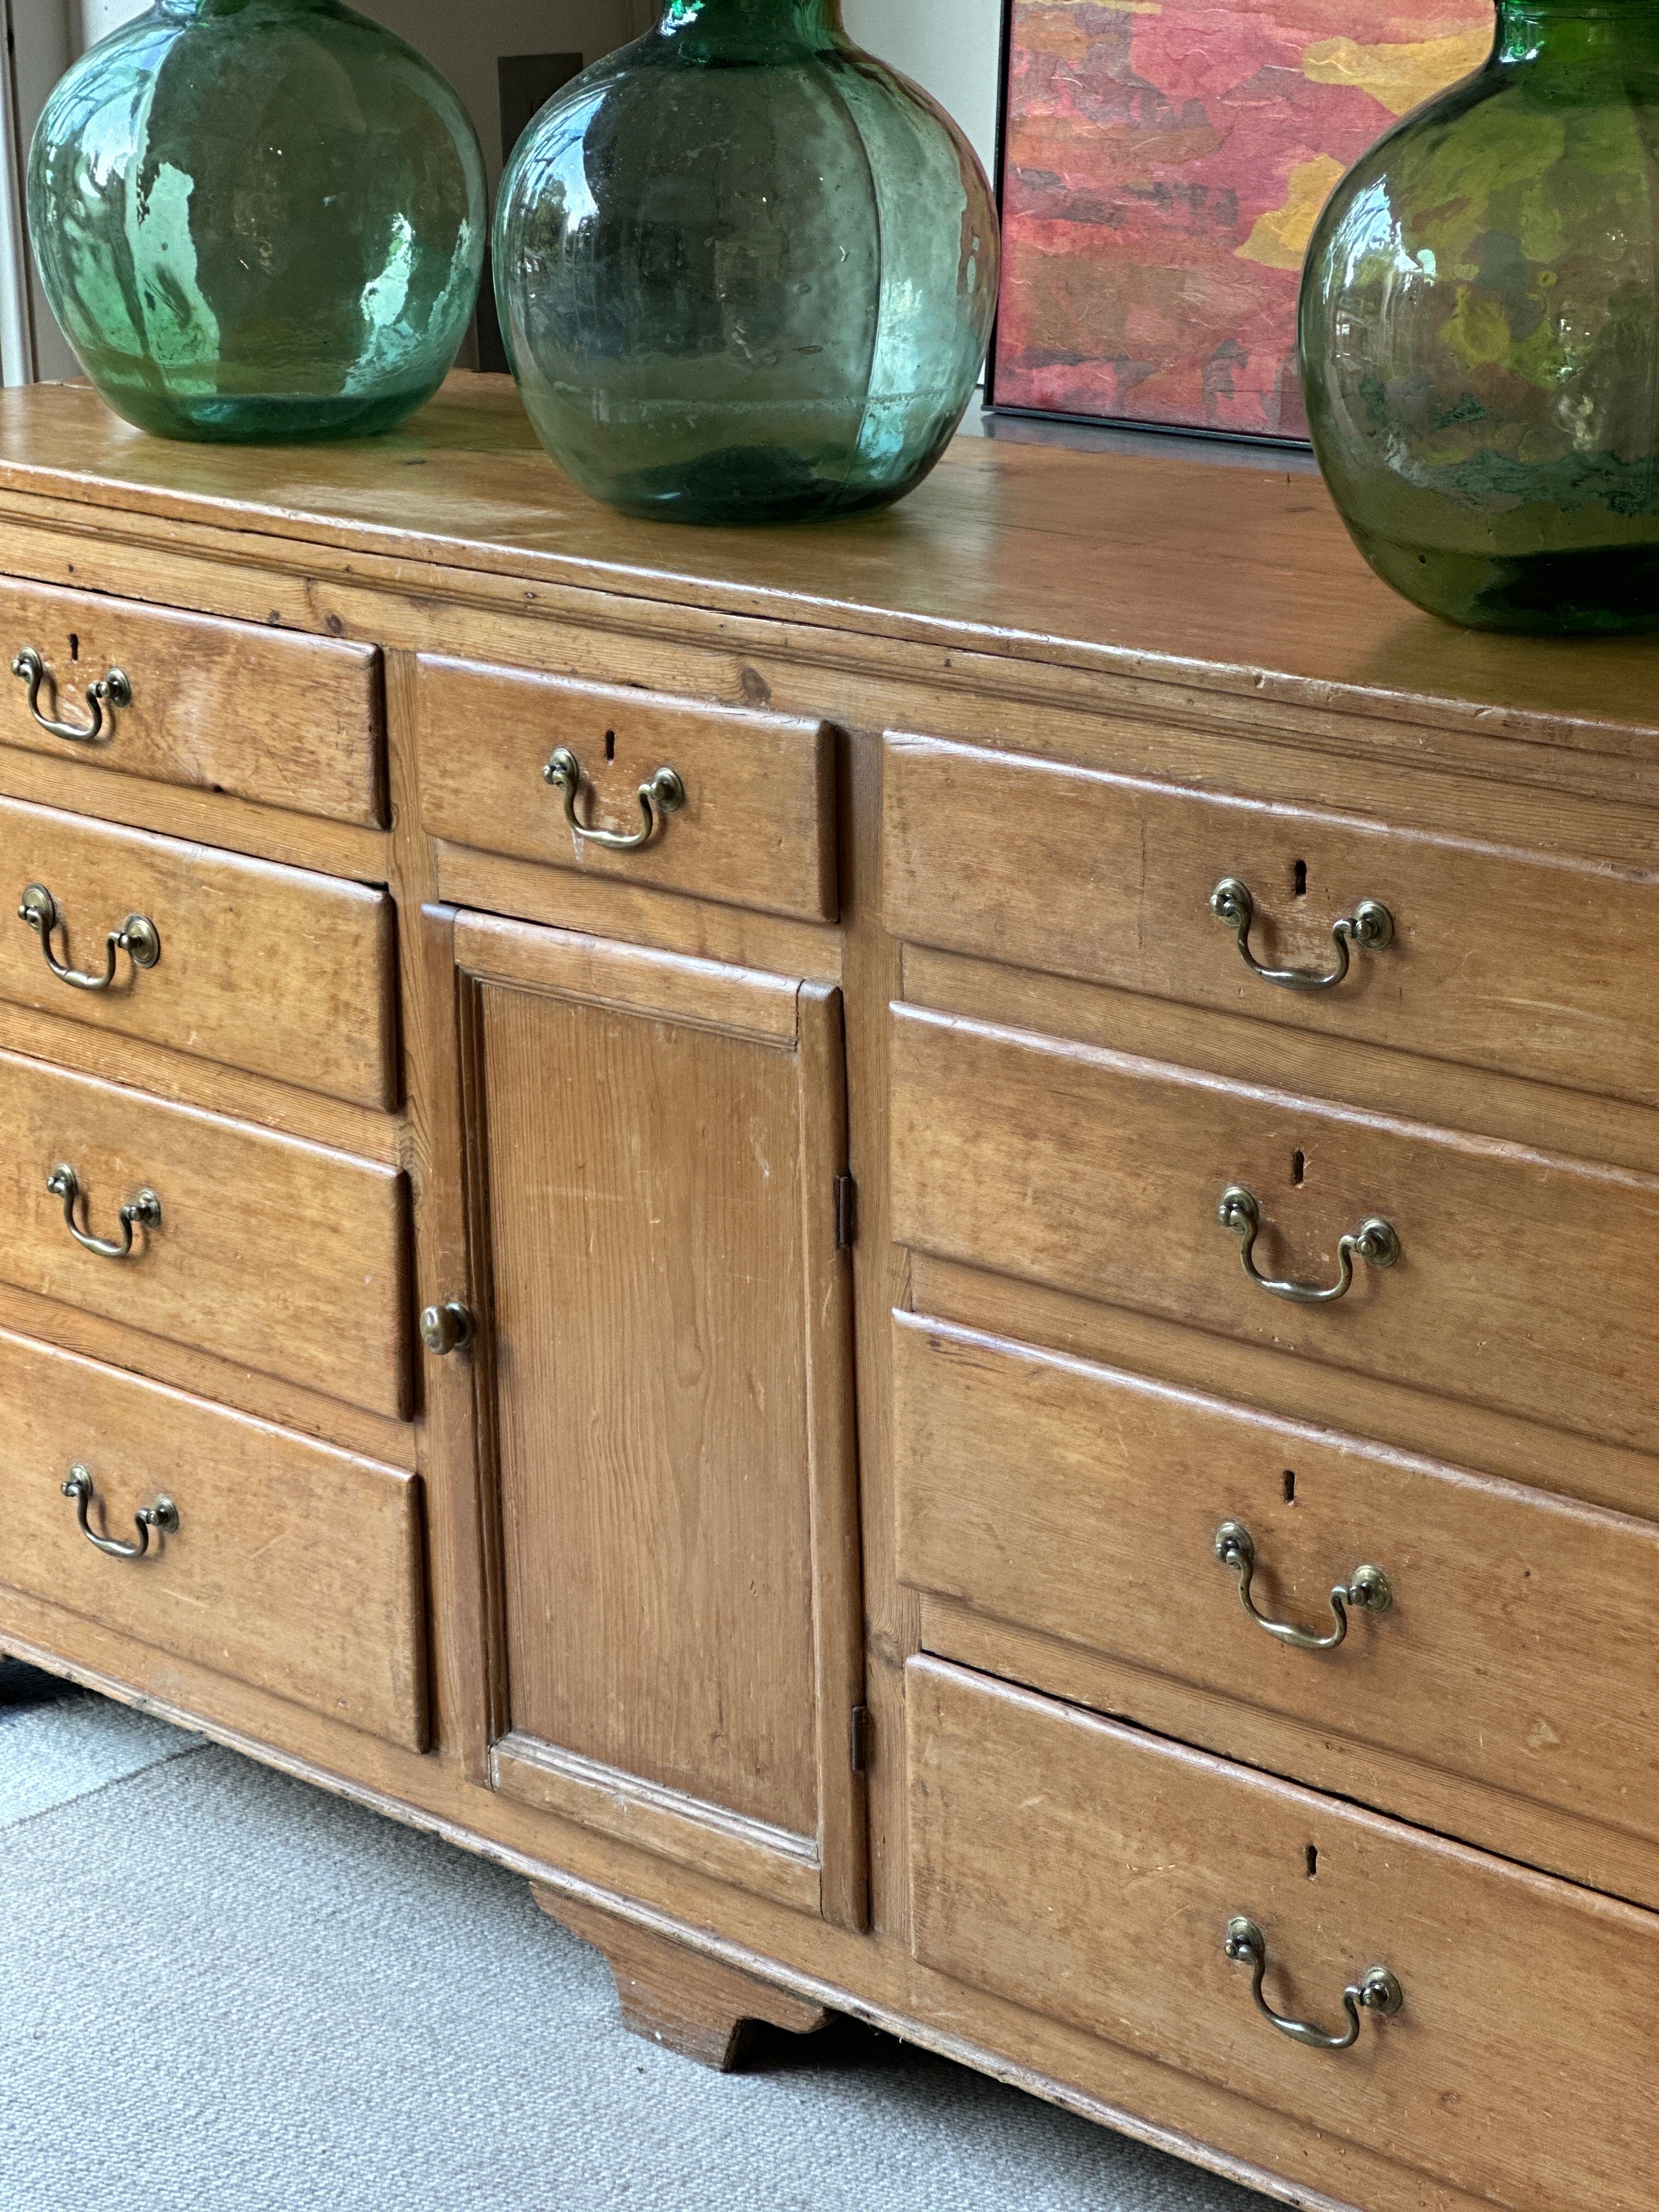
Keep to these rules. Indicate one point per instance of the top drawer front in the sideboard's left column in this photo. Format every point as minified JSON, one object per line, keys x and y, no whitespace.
{"x":225,"y":707}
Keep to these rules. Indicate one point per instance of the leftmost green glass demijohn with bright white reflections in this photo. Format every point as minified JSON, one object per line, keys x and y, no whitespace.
{"x":260,"y":220}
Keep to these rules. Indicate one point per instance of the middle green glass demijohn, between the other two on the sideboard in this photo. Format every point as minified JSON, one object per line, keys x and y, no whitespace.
{"x":747,"y":273}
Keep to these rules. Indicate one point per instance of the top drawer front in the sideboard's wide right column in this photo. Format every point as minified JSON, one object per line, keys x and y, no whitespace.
{"x":1499,"y":959}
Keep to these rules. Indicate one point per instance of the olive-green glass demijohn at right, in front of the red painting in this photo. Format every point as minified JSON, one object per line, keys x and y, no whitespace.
{"x":1481,"y":333}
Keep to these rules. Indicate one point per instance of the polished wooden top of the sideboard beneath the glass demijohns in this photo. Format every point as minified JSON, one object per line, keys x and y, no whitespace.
{"x":1231,"y":578}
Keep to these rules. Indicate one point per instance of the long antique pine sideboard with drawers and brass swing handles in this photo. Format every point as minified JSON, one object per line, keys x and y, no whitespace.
{"x":919,"y":1255}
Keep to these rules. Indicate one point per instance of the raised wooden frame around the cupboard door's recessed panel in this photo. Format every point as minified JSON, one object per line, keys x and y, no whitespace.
{"x":466,"y":954}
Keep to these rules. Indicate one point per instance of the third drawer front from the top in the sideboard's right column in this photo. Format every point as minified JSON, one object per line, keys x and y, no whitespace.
{"x":1085,"y":1503}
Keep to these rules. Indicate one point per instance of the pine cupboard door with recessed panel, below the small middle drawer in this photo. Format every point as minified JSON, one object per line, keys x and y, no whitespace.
{"x":665,"y":1384}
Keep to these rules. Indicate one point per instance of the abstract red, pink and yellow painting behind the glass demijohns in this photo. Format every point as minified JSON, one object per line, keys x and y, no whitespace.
{"x":1165,"y":165}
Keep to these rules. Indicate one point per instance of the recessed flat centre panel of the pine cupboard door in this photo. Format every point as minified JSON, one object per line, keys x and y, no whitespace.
{"x":654,"y":1415}
